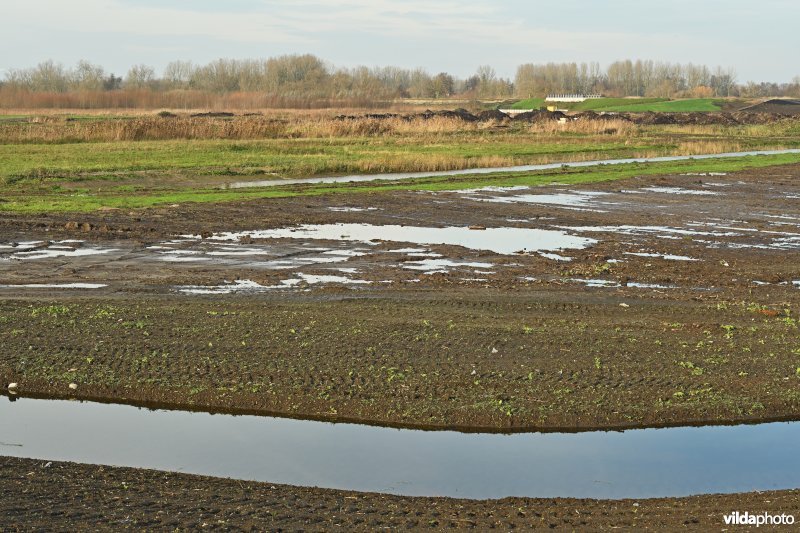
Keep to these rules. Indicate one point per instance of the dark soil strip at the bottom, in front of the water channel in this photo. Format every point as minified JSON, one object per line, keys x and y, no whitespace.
{"x":43,"y":495}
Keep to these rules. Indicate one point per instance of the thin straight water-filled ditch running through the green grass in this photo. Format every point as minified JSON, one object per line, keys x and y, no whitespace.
{"x":521,"y":168}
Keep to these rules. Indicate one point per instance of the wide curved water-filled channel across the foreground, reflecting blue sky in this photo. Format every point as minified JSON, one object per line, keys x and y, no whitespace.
{"x":631,"y":464}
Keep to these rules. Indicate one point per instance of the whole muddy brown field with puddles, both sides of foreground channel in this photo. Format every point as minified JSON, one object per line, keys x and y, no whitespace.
{"x":666,"y":300}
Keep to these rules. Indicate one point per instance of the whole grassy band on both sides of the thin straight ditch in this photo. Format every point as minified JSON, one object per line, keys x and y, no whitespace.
{"x":87,"y":176}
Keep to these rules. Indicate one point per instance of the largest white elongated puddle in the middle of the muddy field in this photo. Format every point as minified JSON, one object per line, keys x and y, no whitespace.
{"x":502,"y":241}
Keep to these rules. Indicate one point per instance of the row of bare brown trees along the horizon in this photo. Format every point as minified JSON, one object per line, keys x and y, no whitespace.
{"x":306,"y":77}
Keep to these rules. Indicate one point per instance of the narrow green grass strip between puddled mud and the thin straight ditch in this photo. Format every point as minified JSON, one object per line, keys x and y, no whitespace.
{"x":86,"y":202}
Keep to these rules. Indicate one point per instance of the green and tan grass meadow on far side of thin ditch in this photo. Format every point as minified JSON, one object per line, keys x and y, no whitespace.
{"x":286,"y":157}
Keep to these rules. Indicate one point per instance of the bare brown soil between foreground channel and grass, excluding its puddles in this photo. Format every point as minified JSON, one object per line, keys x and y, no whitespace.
{"x":439,"y":350}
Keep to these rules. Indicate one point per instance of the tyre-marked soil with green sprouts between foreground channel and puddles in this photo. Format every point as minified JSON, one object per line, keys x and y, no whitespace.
{"x":495,"y":363}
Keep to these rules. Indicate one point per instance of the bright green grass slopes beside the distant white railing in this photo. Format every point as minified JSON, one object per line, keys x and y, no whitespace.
{"x":632,"y":105}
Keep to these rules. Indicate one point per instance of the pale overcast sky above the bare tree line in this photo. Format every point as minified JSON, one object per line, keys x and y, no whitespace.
{"x":759,"y":39}
